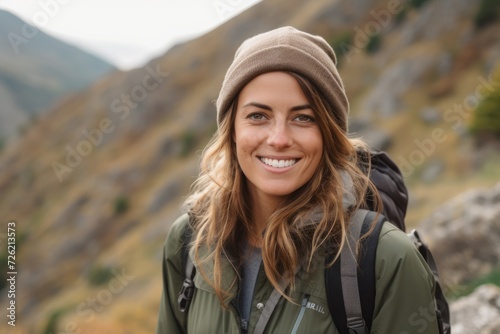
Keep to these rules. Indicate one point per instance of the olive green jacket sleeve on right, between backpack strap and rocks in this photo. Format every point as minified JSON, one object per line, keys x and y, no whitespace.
{"x":404,"y":301}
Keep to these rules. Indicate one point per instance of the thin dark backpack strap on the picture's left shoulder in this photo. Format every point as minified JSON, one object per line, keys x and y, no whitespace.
{"x":187,"y":289}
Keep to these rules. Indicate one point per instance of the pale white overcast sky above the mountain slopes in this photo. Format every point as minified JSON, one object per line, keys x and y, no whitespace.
{"x":128,"y":33}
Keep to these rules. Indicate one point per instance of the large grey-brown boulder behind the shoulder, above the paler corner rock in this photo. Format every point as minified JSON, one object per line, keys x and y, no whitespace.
{"x":464,"y":235}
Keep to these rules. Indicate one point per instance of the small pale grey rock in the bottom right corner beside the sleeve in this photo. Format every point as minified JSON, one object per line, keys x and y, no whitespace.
{"x":477,"y":313}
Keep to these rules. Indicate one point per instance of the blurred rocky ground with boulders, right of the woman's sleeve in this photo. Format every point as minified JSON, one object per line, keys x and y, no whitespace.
{"x":464,"y":235}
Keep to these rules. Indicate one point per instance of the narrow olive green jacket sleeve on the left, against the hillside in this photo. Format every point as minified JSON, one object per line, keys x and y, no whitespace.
{"x":170,"y":319}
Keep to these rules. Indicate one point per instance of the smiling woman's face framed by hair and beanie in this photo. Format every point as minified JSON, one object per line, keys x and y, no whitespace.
{"x":278,"y":143}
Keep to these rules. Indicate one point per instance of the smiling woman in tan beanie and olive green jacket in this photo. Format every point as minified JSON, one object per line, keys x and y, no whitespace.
{"x":279,"y":182}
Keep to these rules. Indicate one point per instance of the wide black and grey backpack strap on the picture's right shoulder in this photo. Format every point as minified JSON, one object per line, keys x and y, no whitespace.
{"x":345,"y":306}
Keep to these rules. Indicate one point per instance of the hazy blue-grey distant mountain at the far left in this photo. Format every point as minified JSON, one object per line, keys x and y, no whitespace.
{"x":36,"y":70}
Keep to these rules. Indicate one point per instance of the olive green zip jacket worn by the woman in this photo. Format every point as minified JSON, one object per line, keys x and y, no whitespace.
{"x":404,"y":295}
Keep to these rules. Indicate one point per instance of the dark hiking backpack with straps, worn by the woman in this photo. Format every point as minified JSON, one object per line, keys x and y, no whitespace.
{"x":357,"y":287}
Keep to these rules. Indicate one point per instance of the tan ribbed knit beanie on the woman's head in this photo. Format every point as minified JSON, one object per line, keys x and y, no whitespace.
{"x":286,"y":49}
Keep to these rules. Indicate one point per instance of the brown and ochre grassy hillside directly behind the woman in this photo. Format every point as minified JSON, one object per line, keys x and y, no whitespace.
{"x":95,"y":184}
